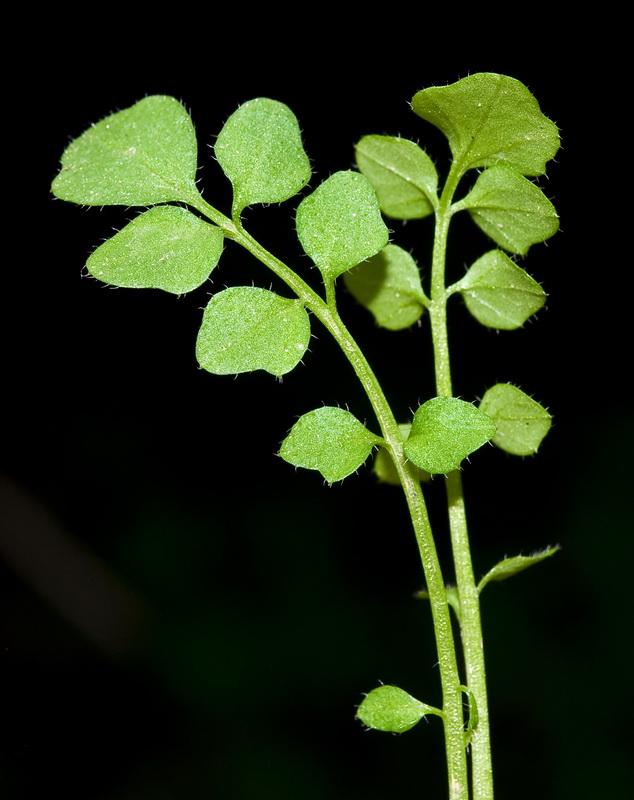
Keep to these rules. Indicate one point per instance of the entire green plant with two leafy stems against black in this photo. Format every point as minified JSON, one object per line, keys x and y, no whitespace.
{"x":147,"y":156}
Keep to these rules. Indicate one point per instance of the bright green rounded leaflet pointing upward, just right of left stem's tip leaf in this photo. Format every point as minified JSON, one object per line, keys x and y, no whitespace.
{"x":260,"y":150}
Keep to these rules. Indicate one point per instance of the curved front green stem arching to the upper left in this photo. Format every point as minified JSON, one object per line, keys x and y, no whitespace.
{"x":326,"y":312}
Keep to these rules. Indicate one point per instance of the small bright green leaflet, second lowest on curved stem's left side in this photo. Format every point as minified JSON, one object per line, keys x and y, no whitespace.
{"x":330,"y":440}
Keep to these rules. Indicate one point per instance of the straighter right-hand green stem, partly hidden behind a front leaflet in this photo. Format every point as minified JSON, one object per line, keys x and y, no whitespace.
{"x":470,"y":622}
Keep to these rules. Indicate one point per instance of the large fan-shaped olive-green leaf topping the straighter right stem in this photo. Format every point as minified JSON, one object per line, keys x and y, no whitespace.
{"x":490,"y":119}
